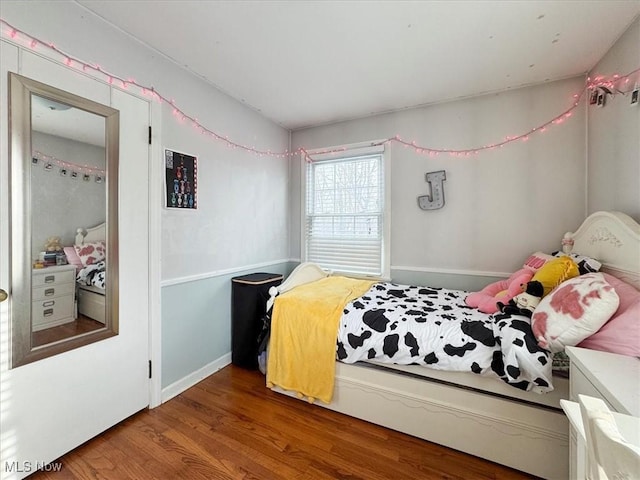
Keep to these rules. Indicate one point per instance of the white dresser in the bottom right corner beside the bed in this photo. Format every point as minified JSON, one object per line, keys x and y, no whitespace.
{"x":613,"y":378}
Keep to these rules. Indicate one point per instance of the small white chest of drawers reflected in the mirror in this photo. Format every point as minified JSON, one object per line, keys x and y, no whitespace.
{"x":53,"y":296}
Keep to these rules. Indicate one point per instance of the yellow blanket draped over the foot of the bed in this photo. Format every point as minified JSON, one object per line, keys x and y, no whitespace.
{"x":304,"y":329}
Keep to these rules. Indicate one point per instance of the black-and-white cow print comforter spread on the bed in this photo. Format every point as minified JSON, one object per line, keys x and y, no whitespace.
{"x":407,"y":325}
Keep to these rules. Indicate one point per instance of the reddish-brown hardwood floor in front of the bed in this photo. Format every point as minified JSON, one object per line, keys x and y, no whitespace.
{"x":230,"y":426}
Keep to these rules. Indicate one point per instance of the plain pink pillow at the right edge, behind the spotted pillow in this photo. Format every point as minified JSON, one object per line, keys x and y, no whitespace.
{"x":621,"y":334}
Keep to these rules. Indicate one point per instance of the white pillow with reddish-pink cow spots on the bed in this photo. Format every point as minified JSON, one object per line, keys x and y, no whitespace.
{"x":574,"y":311}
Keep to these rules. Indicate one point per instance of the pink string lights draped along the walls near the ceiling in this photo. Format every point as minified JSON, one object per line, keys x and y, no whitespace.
{"x":182,"y":117}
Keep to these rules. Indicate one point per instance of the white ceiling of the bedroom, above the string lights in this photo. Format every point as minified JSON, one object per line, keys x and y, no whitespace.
{"x":306,"y":63}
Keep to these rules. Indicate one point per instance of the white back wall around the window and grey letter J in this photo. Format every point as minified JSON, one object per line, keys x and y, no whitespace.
{"x":501,"y":205}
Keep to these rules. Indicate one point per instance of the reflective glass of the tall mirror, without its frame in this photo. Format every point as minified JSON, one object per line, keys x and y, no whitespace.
{"x":68,"y":169}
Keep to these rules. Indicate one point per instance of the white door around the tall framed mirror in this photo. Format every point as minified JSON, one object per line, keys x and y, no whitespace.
{"x":53,"y":405}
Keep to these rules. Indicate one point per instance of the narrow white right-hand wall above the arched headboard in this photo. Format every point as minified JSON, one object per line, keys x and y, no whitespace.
{"x":614,"y":134}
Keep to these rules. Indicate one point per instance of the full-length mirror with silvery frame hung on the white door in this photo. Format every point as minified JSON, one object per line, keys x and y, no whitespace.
{"x":64,"y":221}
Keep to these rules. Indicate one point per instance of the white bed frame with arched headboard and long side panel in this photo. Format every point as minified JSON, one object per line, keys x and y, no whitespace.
{"x":477,"y":415}
